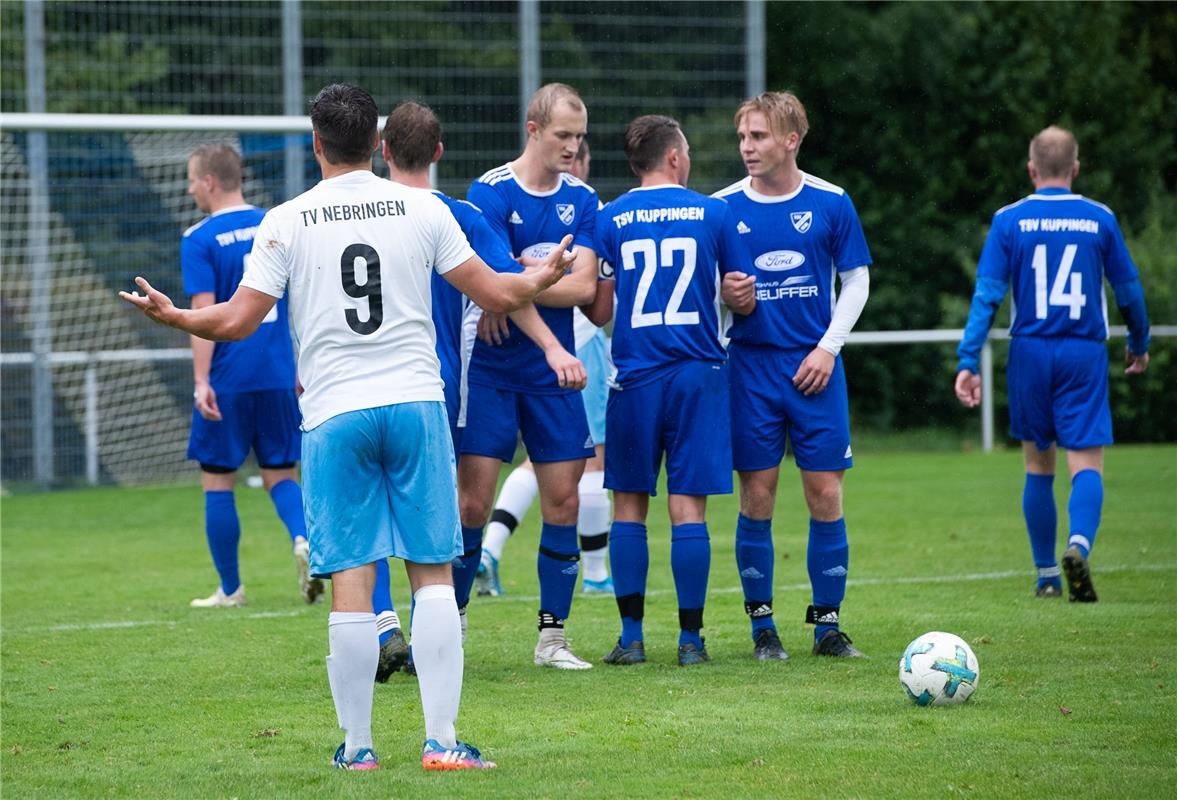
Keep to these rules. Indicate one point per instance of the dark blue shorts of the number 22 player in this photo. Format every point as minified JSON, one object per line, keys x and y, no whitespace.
{"x":683,"y":414}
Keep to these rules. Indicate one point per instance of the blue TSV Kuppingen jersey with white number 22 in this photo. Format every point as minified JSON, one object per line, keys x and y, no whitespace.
{"x":669,"y":248}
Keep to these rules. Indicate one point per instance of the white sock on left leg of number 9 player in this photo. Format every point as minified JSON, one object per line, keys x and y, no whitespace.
{"x":351,"y":672}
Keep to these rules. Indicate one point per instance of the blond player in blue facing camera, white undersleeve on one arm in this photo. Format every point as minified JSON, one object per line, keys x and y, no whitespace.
{"x":787,"y":377}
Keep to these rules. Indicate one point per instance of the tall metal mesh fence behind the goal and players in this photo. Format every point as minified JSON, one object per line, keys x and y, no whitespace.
{"x":84,"y":208}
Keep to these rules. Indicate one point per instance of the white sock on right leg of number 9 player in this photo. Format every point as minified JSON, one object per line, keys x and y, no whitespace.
{"x":438,"y":656}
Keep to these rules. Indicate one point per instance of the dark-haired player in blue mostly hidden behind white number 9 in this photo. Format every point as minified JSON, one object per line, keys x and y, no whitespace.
{"x":411,"y":143}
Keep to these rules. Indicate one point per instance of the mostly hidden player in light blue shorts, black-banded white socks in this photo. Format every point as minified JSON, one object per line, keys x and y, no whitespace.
{"x":520,"y":489}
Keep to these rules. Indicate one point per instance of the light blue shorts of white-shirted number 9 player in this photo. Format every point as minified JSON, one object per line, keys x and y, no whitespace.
{"x":380,"y":483}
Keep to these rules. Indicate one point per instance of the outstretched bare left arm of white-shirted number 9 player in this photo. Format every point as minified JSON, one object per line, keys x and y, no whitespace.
{"x":224,"y":322}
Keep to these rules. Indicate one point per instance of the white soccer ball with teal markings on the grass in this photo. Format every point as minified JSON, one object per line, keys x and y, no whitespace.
{"x":939,"y":670}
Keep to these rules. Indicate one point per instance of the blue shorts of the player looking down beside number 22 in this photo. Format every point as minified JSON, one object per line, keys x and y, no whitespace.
{"x":554,"y":426}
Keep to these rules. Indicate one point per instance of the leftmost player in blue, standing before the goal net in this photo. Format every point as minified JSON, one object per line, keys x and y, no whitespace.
{"x":244,"y":395}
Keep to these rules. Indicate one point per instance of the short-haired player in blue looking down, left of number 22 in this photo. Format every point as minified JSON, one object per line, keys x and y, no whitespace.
{"x":533,"y":203}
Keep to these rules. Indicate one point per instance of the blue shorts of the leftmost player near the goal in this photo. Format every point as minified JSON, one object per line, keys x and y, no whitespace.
{"x":267,"y":422}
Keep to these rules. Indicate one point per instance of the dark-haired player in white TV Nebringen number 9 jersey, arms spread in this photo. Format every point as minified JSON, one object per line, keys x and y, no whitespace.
{"x":355,"y":255}
